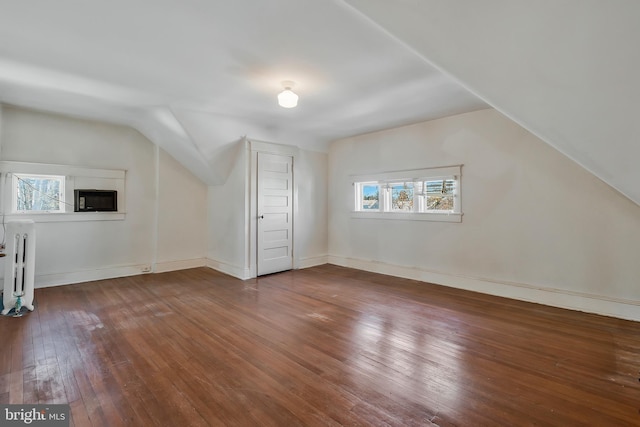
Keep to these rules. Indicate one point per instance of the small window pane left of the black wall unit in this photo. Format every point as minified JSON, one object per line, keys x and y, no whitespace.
{"x":38,"y":193}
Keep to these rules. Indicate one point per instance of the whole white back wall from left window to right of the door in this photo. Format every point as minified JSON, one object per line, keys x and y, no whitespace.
{"x":173,"y":220}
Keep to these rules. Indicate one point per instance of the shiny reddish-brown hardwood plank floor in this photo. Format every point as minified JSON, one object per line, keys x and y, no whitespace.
{"x":321,"y":346}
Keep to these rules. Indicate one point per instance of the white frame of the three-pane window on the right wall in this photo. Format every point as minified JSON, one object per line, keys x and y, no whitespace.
{"x":419,"y":212}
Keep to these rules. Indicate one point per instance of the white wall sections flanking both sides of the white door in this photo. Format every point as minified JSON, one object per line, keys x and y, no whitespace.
{"x":231,"y":222}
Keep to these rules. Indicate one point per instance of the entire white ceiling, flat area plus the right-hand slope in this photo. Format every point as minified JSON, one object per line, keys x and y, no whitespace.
{"x":195,"y":76}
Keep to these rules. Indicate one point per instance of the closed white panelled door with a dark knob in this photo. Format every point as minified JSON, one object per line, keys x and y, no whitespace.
{"x":275,"y":213}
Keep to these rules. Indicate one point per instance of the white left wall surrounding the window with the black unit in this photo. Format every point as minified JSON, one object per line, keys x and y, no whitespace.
{"x":70,"y":252}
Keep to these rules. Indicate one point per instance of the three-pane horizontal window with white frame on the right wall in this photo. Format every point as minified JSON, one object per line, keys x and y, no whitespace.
{"x":422,"y":194}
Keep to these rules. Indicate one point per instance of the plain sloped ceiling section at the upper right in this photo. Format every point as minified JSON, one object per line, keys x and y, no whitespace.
{"x":566,"y":70}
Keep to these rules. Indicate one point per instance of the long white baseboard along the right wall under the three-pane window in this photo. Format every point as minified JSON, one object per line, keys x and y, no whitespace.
{"x":580,"y":301}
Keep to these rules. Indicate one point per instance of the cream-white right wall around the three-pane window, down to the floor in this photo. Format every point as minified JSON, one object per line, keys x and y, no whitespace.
{"x":536,"y":226}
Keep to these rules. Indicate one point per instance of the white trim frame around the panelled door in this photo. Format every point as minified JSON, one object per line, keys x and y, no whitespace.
{"x":255,"y":147}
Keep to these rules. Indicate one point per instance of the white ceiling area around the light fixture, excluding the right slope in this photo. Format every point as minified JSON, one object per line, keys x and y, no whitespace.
{"x":196,"y":75}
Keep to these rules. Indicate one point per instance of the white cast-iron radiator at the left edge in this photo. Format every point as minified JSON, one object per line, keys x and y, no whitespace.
{"x":19,"y":268}
